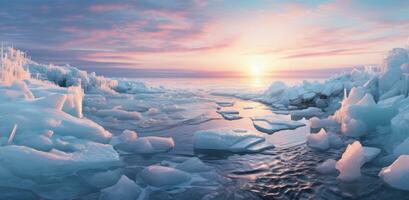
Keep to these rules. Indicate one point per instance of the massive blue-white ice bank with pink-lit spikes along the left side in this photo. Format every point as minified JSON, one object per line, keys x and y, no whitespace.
{"x":44,"y":126}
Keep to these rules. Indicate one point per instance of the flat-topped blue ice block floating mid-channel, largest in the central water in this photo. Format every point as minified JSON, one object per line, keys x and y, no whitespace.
{"x":236,"y":140}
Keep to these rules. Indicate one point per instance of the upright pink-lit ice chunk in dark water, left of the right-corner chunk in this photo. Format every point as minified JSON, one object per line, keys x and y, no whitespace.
{"x":350,"y":163}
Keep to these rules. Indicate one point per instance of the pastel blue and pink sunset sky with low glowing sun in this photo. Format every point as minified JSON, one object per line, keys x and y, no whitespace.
{"x":232,"y":37}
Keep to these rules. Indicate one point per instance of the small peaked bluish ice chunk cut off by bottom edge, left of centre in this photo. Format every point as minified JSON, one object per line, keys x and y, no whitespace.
{"x":124,"y":189}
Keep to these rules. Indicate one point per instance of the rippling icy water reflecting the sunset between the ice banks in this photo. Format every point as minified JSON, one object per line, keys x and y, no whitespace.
{"x":284,"y":172}
